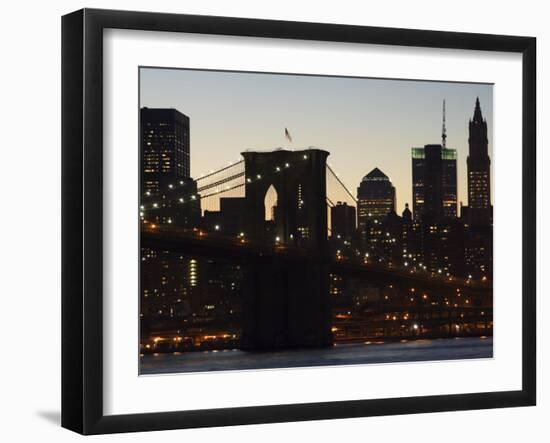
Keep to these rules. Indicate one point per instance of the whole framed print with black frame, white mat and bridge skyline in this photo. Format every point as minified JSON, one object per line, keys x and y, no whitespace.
{"x":269,"y":221}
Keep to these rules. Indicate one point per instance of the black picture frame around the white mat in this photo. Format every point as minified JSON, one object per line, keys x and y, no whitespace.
{"x":82,"y":215}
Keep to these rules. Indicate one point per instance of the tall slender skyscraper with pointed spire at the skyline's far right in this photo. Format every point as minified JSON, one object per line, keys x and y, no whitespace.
{"x":479,"y":210}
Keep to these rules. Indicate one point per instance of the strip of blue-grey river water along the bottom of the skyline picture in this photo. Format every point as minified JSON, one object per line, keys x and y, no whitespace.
{"x":417,"y":350}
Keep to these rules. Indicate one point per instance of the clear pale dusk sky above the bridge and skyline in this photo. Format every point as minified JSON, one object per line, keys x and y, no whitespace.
{"x":364,"y":123}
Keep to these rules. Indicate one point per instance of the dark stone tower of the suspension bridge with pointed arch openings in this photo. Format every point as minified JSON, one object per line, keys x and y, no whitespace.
{"x":286,"y":299}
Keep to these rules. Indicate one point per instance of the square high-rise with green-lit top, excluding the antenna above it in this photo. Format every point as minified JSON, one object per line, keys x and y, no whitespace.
{"x":434,"y":182}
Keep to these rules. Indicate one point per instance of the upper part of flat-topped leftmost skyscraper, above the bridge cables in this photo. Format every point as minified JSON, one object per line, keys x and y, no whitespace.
{"x":164,"y":148}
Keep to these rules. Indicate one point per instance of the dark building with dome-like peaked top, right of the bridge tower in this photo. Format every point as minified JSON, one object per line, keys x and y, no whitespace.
{"x":375,"y":199}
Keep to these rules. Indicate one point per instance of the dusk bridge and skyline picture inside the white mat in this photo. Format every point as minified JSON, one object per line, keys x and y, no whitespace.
{"x":295,"y":220}
